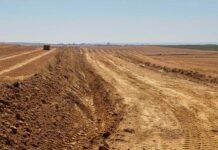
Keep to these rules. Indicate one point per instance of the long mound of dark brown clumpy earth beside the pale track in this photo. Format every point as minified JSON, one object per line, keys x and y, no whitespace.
{"x":66,"y":106}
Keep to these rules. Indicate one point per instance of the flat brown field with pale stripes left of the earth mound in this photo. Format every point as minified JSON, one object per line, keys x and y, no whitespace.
{"x":19,"y":62}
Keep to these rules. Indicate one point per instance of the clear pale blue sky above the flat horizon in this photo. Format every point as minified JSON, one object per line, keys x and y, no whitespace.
{"x":115,"y":21}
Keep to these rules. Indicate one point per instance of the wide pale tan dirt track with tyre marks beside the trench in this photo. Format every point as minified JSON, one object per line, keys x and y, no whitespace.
{"x":184,"y":120}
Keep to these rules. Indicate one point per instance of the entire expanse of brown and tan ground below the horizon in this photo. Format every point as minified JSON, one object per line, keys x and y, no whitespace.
{"x":109,"y":97}
